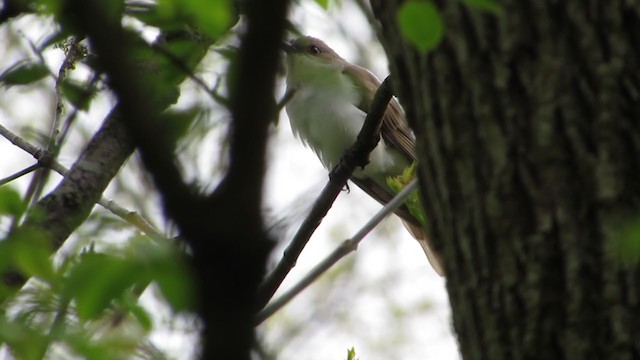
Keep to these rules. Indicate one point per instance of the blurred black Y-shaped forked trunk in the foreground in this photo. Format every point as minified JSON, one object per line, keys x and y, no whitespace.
{"x":224,"y":229}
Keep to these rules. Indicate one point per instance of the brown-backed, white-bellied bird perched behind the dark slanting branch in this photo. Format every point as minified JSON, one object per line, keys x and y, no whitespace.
{"x":330,"y":101}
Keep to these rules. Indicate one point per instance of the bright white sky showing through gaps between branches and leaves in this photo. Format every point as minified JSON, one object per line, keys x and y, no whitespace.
{"x":294,"y":178}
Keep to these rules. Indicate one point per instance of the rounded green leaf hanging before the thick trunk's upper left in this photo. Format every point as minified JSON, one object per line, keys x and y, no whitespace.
{"x":421,"y":24}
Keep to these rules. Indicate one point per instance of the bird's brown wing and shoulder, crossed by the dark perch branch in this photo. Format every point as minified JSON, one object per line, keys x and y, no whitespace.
{"x":394,"y":128}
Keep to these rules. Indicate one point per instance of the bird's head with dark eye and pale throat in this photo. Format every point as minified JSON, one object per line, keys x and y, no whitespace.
{"x":309,"y":58}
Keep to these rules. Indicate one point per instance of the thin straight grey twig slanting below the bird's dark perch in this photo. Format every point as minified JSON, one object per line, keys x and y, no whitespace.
{"x":345,"y":248}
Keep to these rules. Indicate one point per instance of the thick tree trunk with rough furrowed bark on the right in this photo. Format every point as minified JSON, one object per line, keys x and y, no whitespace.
{"x":529,"y":146}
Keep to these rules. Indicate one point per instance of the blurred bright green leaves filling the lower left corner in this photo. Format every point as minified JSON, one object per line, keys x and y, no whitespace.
{"x":86,"y":291}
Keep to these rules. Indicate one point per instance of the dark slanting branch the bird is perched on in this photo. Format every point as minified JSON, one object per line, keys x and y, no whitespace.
{"x":356,"y":156}
